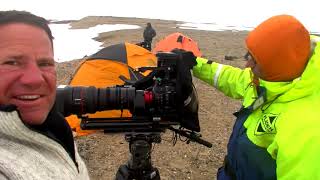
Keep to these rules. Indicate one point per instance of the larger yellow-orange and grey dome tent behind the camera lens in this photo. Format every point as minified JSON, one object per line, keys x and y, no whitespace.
{"x":103,"y":69}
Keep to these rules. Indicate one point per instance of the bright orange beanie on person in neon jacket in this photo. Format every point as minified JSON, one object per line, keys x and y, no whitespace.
{"x":281,"y":46}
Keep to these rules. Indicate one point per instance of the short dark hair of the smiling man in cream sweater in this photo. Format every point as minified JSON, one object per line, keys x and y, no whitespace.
{"x":13,"y":16}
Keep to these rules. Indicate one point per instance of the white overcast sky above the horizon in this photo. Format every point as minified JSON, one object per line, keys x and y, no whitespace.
{"x":227,"y":12}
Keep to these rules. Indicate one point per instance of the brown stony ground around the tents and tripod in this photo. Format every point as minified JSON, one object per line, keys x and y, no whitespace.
{"x":105,"y":153}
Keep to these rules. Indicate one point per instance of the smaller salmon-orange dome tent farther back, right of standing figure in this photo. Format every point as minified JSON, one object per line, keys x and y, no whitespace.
{"x":180,"y":41}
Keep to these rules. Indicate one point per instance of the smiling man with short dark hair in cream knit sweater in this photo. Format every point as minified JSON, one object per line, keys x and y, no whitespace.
{"x":35,"y":140}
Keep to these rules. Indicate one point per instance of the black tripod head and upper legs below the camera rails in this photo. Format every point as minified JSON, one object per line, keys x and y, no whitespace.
{"x":139,"y":166}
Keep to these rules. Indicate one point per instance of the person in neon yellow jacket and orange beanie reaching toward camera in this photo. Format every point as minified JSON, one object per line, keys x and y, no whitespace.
{"x":277,"y":131}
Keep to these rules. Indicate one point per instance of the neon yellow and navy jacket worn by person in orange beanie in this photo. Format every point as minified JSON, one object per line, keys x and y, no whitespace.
{"x":278,"y":137}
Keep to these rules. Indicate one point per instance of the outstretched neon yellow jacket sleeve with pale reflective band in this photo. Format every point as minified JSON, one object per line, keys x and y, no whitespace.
{"x":232,"y":81}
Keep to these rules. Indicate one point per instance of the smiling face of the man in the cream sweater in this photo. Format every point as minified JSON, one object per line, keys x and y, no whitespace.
{"x":27,"y":71}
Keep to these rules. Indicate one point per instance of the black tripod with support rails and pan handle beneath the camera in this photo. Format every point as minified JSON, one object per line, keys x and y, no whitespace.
{"x":139,"y":166}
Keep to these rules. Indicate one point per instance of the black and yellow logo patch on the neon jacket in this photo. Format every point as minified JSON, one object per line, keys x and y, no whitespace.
{"x":267,"y":124}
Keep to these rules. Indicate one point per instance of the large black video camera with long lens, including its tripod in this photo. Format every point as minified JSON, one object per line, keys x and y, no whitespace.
{"x":164,"y":99}
